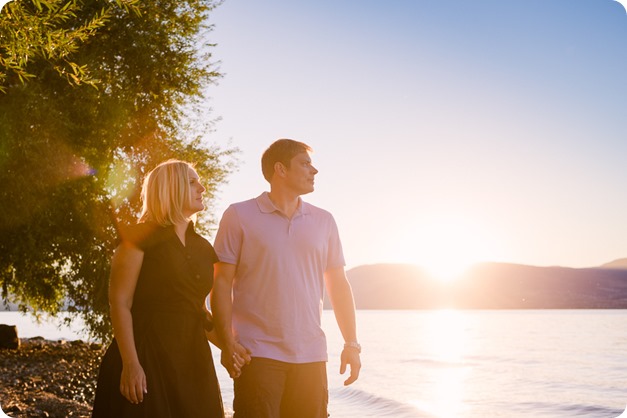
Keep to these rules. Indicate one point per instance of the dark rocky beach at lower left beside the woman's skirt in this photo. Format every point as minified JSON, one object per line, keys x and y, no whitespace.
{"x":52,"y":379}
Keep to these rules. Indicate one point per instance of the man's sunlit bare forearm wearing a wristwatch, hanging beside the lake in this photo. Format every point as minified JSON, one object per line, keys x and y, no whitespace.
{"x":341,"y":297}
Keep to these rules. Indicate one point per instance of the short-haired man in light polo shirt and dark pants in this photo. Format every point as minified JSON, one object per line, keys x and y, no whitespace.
{"x":276,"y":254}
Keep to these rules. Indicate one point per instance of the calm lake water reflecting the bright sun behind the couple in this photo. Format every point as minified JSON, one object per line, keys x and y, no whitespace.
{"x":466,"y":364}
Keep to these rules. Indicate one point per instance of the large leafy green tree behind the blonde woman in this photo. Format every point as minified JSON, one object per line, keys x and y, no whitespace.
{"x":72,"y":154}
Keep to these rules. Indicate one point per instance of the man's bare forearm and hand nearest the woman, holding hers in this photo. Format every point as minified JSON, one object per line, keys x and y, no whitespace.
{"x":222,"y":308}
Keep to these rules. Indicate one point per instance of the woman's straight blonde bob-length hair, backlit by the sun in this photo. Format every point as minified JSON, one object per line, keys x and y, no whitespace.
{"x":165,"y":191}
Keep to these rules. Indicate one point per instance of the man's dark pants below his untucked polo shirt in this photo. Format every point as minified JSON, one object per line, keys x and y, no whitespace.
{"x":274,"y":389}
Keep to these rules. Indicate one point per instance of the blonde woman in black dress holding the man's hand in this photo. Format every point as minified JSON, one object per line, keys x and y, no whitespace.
{"x":159,"y":364}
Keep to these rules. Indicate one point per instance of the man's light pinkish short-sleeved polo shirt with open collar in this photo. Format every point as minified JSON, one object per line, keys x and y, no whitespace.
{"x":279,"y":284}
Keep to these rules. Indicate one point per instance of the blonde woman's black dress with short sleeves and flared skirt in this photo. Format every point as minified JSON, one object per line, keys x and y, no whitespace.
{"x":168,"y":325}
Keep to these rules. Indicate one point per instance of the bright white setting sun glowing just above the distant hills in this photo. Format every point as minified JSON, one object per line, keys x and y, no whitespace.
{"x":446,"y":246}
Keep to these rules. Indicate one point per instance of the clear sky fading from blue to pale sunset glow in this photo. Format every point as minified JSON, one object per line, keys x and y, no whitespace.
{"x":445,"y":132}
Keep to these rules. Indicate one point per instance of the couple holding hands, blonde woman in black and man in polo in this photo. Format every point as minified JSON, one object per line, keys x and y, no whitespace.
{"x":274,"y":256}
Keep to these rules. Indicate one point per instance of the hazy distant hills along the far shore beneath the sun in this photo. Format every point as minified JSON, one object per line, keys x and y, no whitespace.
{"x":489,"y":286}
